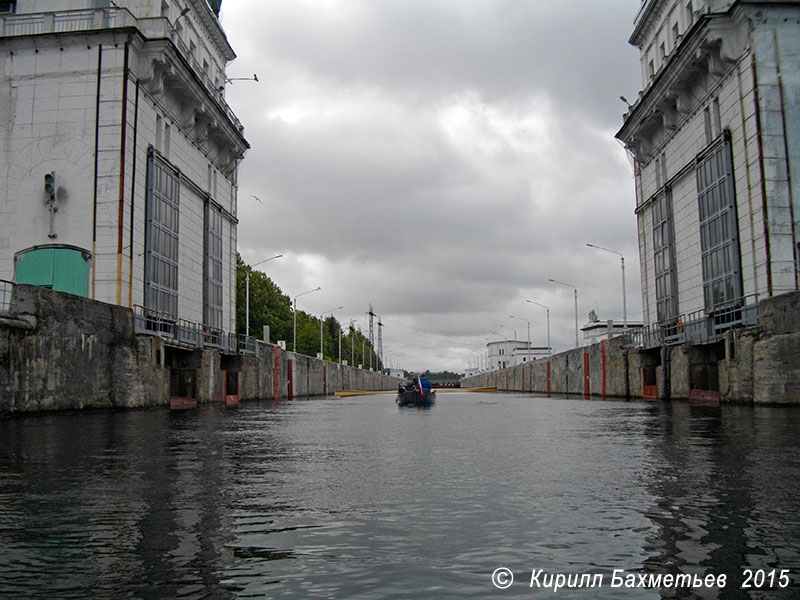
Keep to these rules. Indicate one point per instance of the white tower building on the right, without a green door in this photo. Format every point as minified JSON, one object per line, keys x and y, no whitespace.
{"x":715,"y":138}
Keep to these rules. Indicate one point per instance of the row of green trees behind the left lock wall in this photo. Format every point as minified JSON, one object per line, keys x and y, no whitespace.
{"x":270,"y":306}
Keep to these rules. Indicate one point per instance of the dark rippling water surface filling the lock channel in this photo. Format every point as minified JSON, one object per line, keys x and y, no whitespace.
{"x":357,"y":498}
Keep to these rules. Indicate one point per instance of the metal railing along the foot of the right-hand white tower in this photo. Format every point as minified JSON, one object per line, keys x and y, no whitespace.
{"x":697,"y":327}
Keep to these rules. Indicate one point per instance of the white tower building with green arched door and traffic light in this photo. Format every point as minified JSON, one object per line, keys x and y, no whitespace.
{"x":122,"y":104}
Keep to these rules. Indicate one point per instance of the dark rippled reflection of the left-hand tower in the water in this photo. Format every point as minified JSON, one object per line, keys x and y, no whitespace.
{"x":125,"y":502}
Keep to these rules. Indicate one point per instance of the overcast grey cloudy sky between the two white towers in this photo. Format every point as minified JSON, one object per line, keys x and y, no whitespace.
{"x":440,"y":159}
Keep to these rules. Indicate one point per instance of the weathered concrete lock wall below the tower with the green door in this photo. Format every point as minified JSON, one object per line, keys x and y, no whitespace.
{"x":64,"y":352}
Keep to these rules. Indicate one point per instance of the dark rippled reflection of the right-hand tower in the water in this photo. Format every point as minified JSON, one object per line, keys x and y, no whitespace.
{"x":726,"y":487}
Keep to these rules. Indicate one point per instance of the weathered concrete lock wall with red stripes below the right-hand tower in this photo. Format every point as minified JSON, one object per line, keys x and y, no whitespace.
{"x":745,"y":365}
